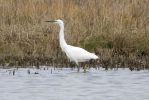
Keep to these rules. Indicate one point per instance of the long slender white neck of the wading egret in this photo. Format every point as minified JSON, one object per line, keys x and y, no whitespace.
{"x":62,"y":41}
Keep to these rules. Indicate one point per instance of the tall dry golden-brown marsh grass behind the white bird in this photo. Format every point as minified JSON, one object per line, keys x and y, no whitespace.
{"x":117,"y":30}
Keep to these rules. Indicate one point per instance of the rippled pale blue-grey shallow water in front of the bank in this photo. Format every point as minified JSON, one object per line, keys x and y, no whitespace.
{"x":67,"y":84}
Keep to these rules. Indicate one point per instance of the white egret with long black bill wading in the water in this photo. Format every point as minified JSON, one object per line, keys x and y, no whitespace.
{"x":75,"y":54}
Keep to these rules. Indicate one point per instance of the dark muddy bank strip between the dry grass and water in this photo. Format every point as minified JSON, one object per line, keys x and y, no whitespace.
{"x":107,"y":60}
